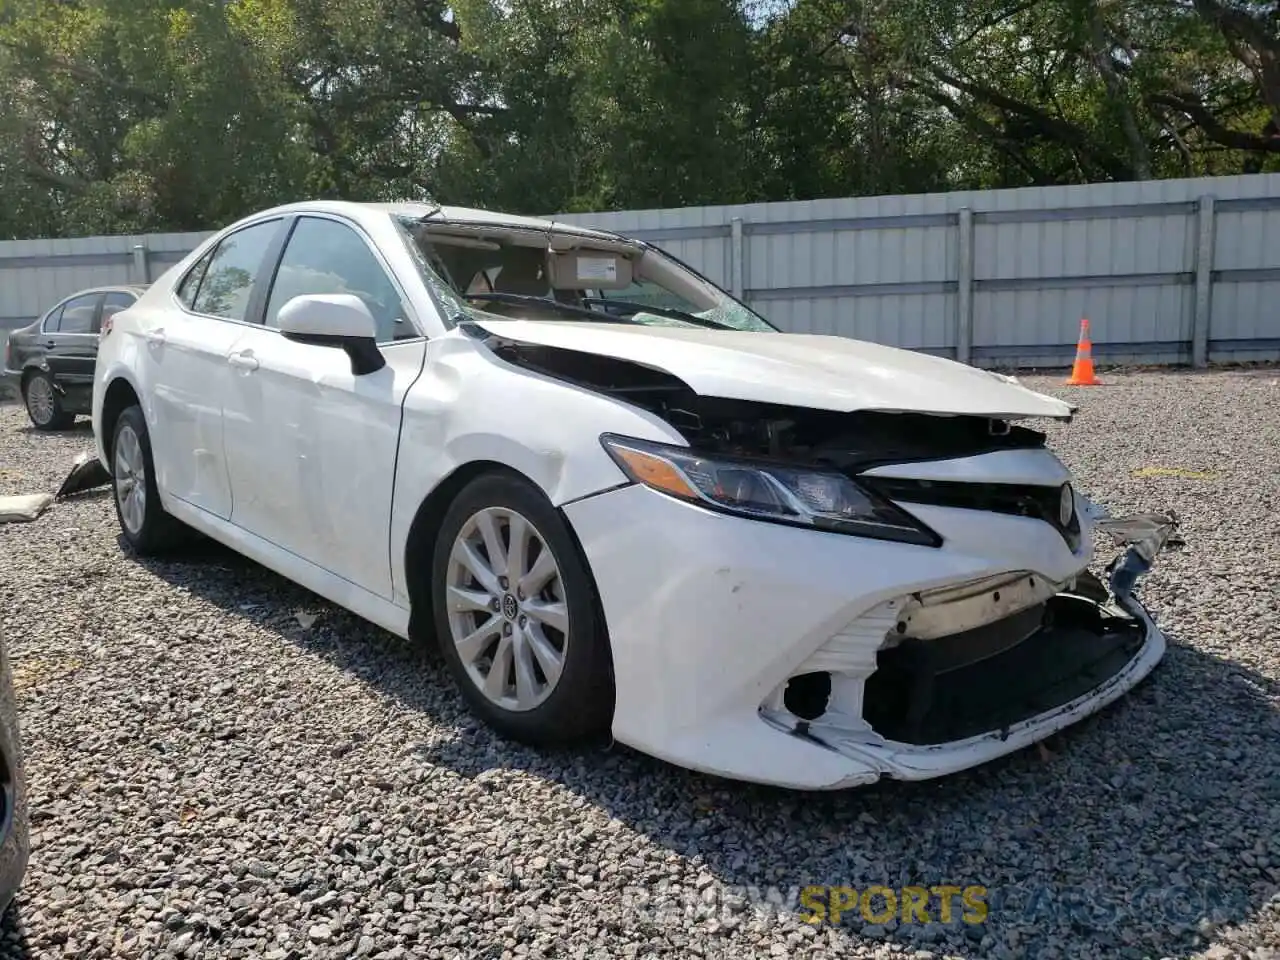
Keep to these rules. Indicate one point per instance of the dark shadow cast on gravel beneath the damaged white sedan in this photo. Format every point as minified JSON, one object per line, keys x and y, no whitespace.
{"x":1142,"y":833}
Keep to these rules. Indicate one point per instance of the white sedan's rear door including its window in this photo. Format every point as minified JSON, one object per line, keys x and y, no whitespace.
{"x":189,"y":371}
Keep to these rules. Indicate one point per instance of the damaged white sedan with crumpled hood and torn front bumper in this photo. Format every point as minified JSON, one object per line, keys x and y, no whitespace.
{"x":619,"y":500}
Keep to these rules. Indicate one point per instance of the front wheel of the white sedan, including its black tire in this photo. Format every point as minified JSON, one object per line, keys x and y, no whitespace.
{"x":561,"y":707}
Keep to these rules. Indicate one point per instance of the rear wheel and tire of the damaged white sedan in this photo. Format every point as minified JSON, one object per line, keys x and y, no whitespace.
{"x":144,"y":523}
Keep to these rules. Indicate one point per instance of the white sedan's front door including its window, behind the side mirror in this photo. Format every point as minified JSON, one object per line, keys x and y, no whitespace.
{"x":310,"y":446}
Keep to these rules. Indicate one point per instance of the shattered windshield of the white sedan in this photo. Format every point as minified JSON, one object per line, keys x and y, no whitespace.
{"x":502,"y":273}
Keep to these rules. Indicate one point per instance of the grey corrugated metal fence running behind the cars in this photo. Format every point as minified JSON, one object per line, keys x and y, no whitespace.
{"x":1168,"y":272}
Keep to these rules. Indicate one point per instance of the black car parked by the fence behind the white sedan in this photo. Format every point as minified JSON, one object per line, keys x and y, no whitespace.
{"x":51,"y":362}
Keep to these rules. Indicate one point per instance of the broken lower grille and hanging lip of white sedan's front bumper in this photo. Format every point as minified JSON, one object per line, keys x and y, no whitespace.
{"x":932,"y":705}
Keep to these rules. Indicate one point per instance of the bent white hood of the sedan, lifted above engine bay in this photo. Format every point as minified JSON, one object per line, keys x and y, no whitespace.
{"x":793,"y":369}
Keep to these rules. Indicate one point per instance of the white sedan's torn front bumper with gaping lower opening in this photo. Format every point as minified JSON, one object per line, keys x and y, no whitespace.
{"x":719,"y":627}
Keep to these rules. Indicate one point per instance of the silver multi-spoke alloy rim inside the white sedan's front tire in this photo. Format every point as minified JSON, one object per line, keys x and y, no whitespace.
{"x":506,"y":605}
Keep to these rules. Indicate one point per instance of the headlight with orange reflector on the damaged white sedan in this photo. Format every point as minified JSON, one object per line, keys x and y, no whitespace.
{"x":784,"y":495}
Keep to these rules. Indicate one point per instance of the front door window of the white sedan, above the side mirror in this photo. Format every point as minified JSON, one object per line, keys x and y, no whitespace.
{"x":324,"y":257}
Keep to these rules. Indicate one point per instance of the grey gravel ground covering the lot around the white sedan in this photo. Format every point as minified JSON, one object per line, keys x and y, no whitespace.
{"x":214,"y":776}
